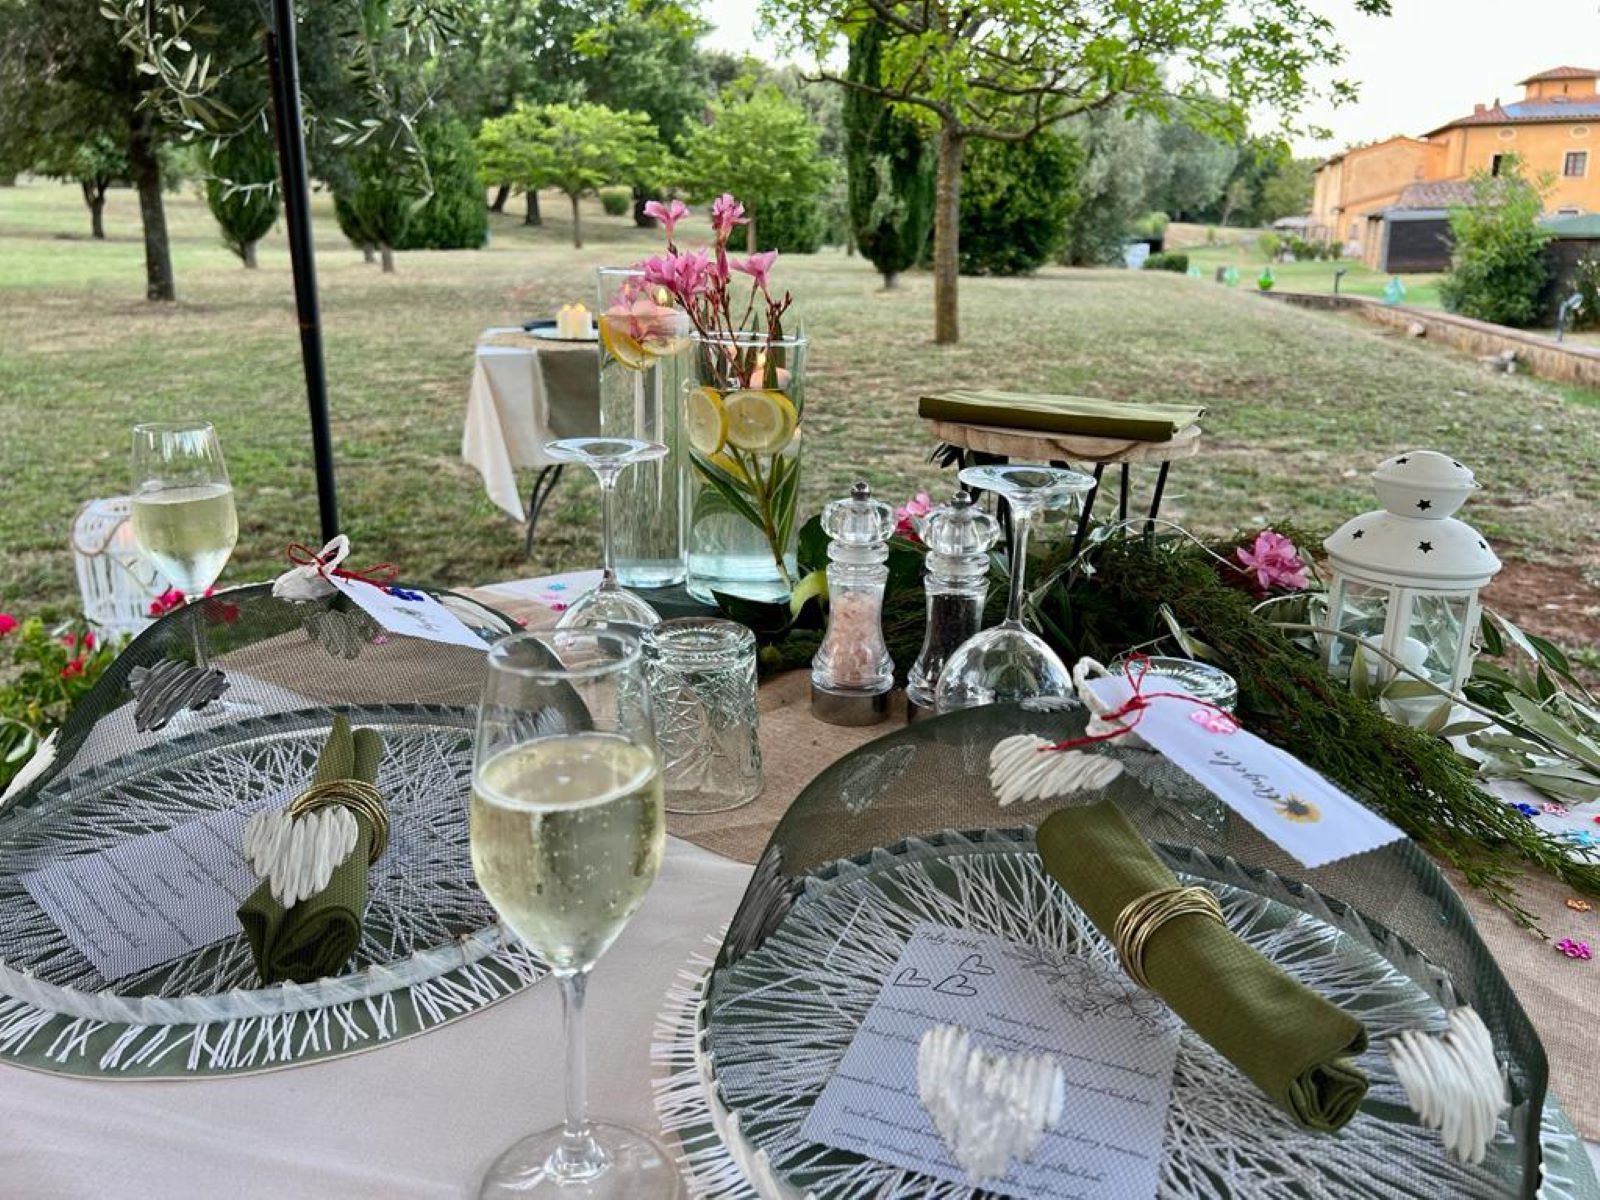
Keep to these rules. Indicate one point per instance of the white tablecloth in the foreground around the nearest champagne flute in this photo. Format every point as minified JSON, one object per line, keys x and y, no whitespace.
{"x":418,"y":1119}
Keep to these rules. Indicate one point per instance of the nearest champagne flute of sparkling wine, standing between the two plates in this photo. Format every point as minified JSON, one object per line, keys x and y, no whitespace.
{"x":567,"y":838}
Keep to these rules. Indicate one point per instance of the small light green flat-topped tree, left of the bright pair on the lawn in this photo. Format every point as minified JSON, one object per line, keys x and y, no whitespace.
{"x":577,"y":150}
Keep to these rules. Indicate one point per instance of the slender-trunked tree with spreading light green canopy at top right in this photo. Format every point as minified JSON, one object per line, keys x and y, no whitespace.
{"x":1014,"y":68}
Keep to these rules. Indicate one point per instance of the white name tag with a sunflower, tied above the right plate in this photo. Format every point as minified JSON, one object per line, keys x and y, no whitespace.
{"x":1274,"y":791}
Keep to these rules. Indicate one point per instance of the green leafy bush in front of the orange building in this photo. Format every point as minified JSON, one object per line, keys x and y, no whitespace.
{"x":1498,"y":268}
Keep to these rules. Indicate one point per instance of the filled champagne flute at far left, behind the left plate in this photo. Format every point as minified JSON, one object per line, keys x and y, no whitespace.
{"x":183,"y":513}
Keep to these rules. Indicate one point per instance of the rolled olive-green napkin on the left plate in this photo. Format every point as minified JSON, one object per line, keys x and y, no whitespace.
{"x":318,"y":937}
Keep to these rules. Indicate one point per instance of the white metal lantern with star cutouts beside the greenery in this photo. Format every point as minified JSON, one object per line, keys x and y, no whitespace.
{"x":1406,"y":578}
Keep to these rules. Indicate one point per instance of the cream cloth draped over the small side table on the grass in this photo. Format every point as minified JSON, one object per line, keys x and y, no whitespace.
{"x":511,"y":415}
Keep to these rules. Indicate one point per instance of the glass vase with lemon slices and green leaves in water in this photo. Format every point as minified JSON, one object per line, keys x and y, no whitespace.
{"x":742,"y":422}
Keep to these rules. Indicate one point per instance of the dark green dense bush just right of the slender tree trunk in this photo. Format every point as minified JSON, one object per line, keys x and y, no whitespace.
{"x":1017,"y":202}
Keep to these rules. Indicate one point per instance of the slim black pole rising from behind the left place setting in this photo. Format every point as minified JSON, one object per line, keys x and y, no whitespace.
{"x":284,"y":70}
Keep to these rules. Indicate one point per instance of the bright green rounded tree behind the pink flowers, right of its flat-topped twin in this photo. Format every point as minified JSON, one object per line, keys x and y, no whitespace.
{"x":759,"y":146}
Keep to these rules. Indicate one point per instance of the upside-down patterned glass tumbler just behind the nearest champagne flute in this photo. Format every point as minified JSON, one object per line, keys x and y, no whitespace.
{"x":702,"y":674}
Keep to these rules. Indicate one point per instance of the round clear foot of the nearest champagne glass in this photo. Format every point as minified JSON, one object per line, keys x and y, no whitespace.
{"x":633,"y":1167}
